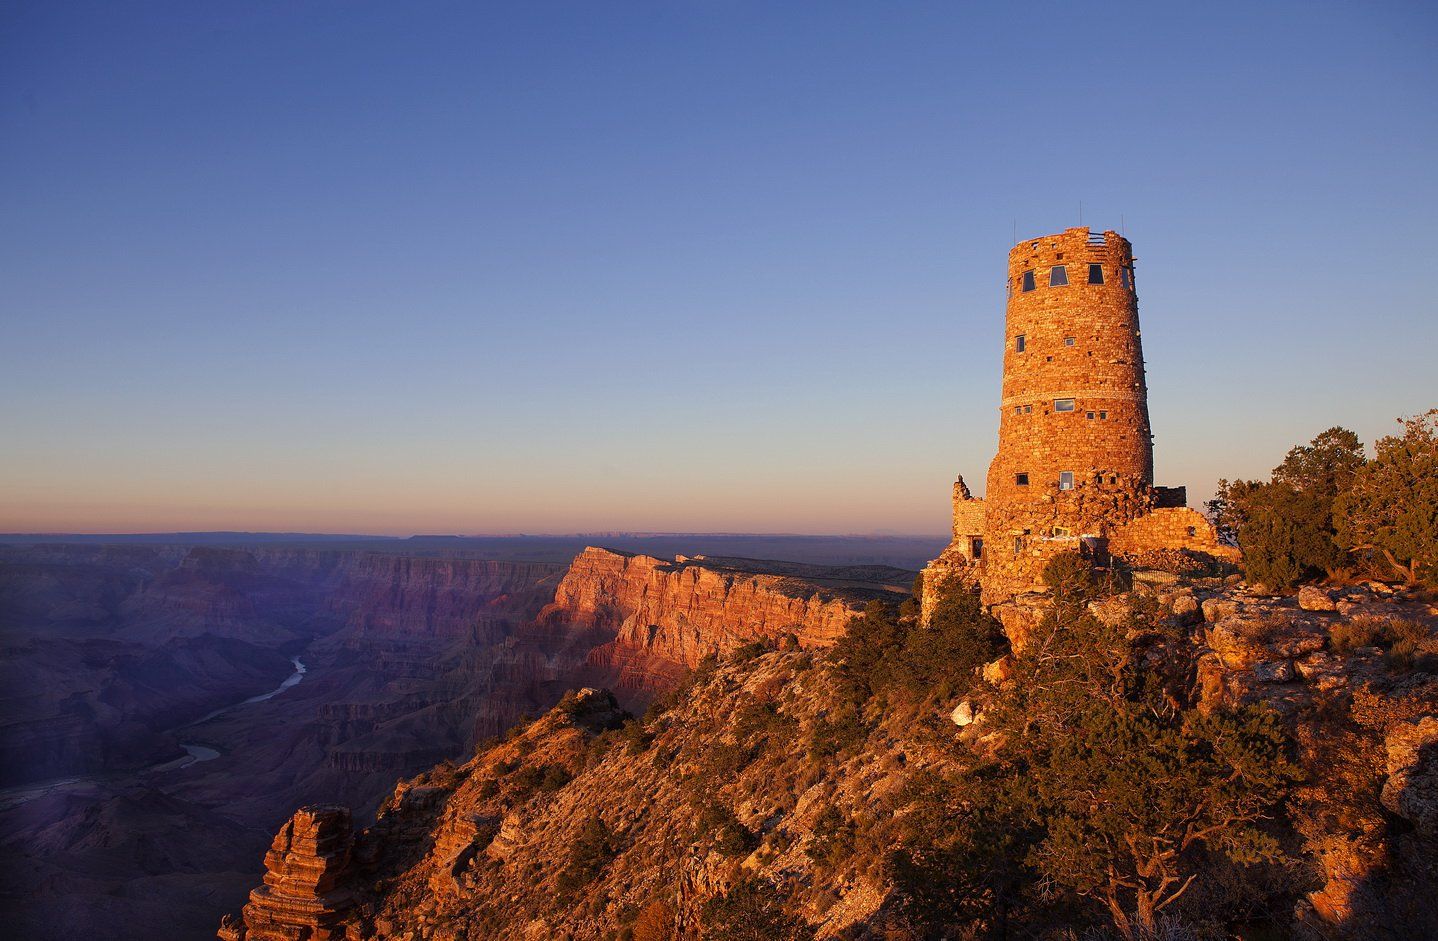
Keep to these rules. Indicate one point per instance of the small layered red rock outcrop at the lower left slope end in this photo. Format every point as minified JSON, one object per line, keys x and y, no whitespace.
{"x":304,"y":897}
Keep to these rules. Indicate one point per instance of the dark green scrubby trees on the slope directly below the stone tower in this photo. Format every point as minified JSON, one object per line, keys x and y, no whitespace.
{"x":1102,"y":783}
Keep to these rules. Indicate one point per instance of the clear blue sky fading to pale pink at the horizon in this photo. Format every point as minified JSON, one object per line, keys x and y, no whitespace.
{"x":567,"y":267}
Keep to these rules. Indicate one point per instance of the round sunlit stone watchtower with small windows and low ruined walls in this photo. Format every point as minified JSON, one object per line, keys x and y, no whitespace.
{"x":1075,"y":464}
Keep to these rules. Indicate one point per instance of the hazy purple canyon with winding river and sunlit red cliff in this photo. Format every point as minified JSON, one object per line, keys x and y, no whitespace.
{"x":126,"y":663}
